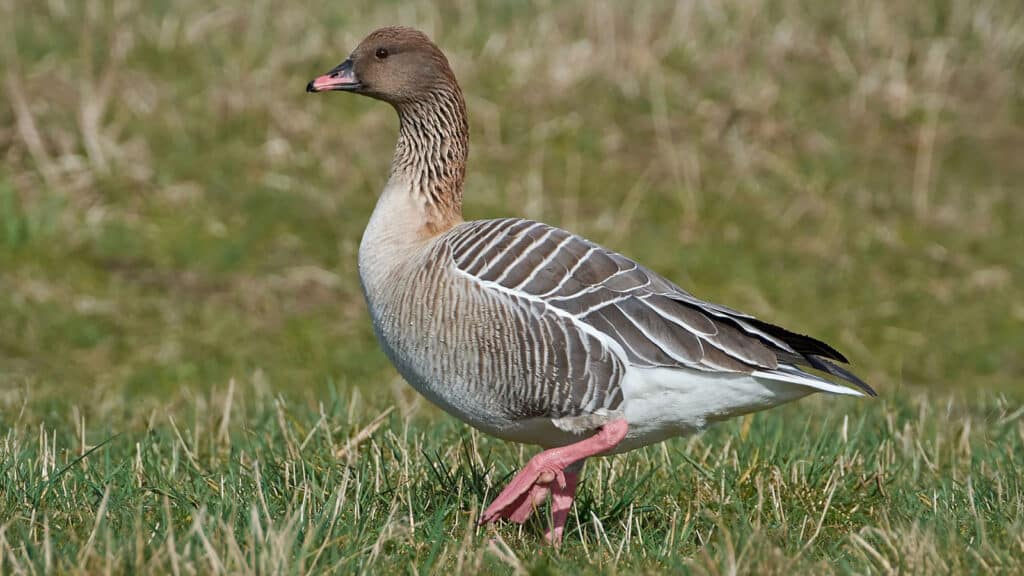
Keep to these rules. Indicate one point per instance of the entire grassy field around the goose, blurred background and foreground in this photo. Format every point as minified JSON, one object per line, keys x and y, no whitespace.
{"x":189,"y":382}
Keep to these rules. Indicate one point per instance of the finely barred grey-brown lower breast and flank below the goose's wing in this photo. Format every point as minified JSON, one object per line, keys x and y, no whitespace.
{"x":499,"y":368}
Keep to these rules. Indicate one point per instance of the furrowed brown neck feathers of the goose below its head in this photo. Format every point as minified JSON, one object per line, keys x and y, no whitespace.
{"x":431,"y":156}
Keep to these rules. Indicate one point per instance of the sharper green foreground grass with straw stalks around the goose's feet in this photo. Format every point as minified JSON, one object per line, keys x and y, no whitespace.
{"x":241,"y":480}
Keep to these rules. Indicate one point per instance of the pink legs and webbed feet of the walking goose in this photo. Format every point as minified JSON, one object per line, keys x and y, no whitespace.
{"x":546,"y":474}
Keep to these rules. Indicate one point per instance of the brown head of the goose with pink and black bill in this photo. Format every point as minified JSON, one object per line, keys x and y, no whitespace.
{"x":397,"y":65}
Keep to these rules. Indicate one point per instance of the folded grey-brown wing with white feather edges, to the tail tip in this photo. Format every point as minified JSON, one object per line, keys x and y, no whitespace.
{"x":652,"y":322}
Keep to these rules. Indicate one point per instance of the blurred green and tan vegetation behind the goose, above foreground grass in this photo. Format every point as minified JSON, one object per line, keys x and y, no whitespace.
{"x":176,"y":212}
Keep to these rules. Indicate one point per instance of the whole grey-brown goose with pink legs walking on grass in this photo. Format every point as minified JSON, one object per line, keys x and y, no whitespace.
{"x":534,"y":335}
